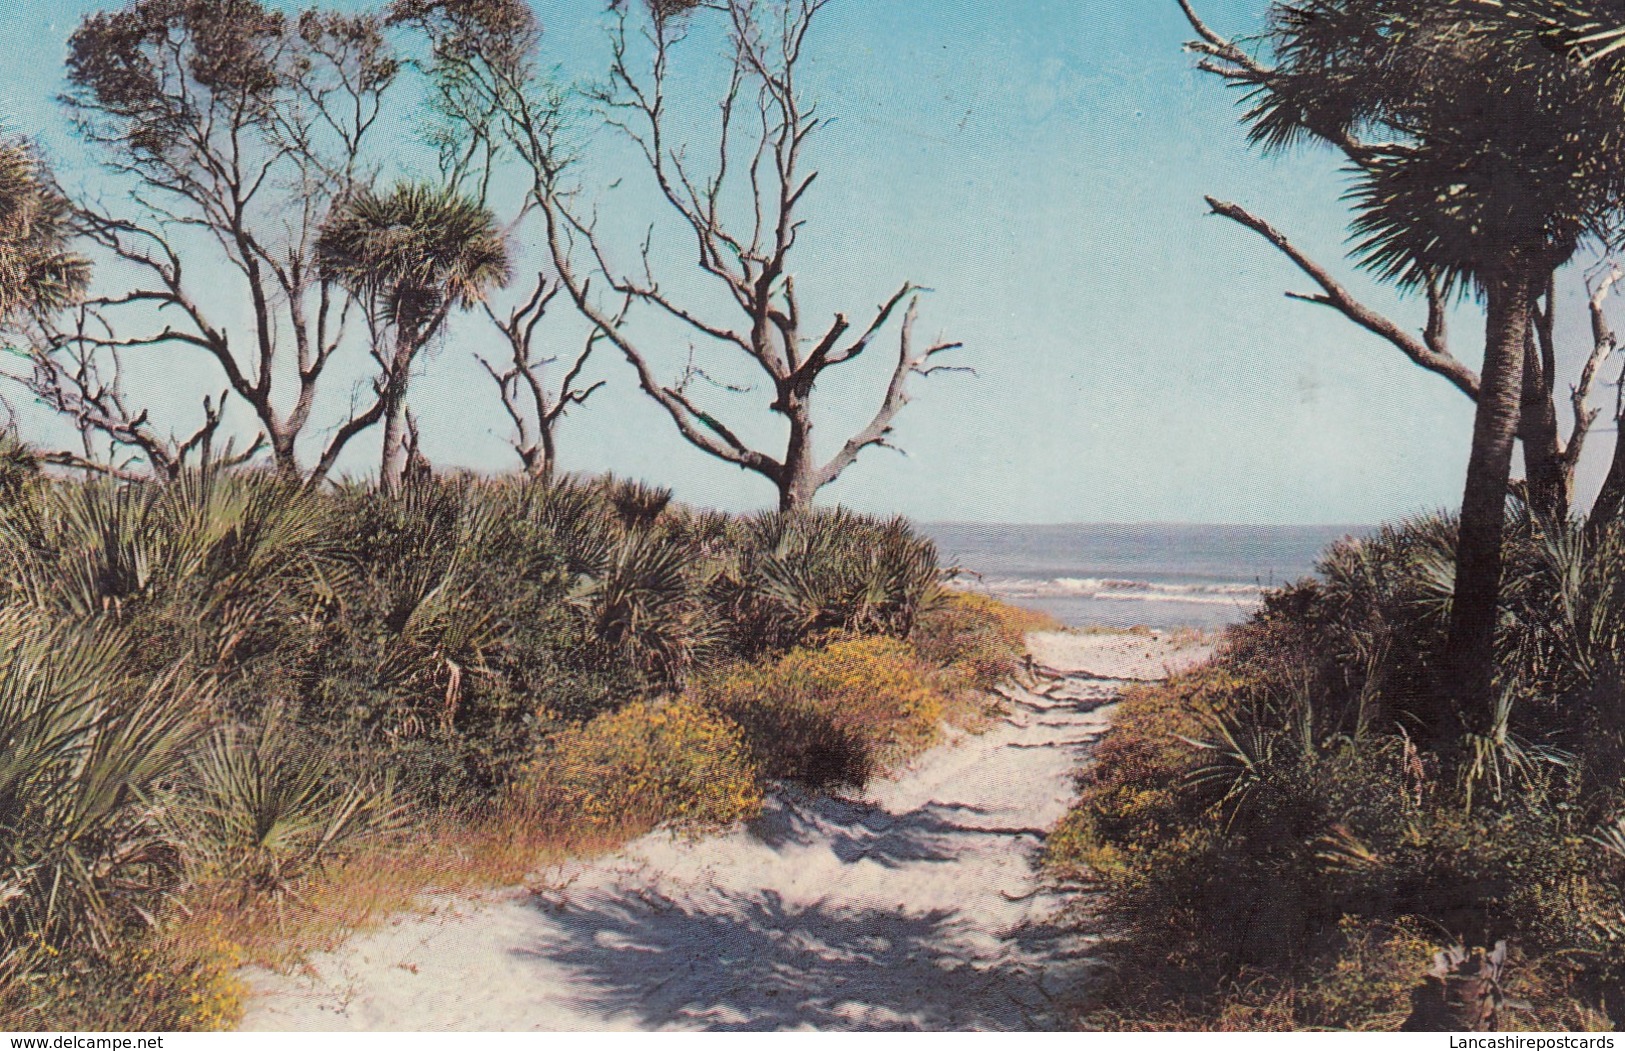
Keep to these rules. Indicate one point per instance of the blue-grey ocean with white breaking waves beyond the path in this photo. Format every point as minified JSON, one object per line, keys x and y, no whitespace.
{"x":1120,"y":576}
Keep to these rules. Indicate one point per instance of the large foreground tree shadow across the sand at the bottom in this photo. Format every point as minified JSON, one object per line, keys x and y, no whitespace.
{"x":756,"y":964}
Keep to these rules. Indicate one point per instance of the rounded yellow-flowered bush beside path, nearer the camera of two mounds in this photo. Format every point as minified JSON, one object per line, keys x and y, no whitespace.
{"x":648,"y":764}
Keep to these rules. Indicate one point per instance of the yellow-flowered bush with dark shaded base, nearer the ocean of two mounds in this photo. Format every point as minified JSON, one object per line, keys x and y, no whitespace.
{"x":834,"y":716}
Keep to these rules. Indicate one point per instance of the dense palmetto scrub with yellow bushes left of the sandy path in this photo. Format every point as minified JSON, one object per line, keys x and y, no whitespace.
{"x":241,"y":716}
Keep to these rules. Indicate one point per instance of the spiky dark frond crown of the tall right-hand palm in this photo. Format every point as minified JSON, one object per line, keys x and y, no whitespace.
{"x":1471,"y":137}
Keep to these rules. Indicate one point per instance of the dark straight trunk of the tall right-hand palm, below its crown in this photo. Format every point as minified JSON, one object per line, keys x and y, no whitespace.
{"x":1470,"y":659}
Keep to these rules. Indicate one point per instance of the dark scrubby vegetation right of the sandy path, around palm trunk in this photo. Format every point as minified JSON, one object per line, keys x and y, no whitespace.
{"x":1288,"y":836}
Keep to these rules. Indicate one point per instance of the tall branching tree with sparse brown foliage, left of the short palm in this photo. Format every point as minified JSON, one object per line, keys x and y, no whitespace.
{"x":233,"y":129}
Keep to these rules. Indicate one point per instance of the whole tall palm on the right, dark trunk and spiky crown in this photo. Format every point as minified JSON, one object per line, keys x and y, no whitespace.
{"x":1483,"y":160}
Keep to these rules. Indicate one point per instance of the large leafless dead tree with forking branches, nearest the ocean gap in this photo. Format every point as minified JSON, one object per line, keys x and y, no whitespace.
{"x":743,"y":212}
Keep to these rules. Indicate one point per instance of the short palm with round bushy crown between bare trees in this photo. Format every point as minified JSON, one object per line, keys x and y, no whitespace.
{"x":410,"y":256}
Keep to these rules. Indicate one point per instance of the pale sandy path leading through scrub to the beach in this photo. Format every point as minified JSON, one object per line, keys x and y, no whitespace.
{"x":916,"y":907}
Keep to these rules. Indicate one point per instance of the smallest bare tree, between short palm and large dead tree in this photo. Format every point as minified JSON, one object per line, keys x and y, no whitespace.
{"x":529,"y":399}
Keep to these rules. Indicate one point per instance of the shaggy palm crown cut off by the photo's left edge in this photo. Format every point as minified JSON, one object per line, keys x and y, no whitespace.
{"x":38,"y":272}
